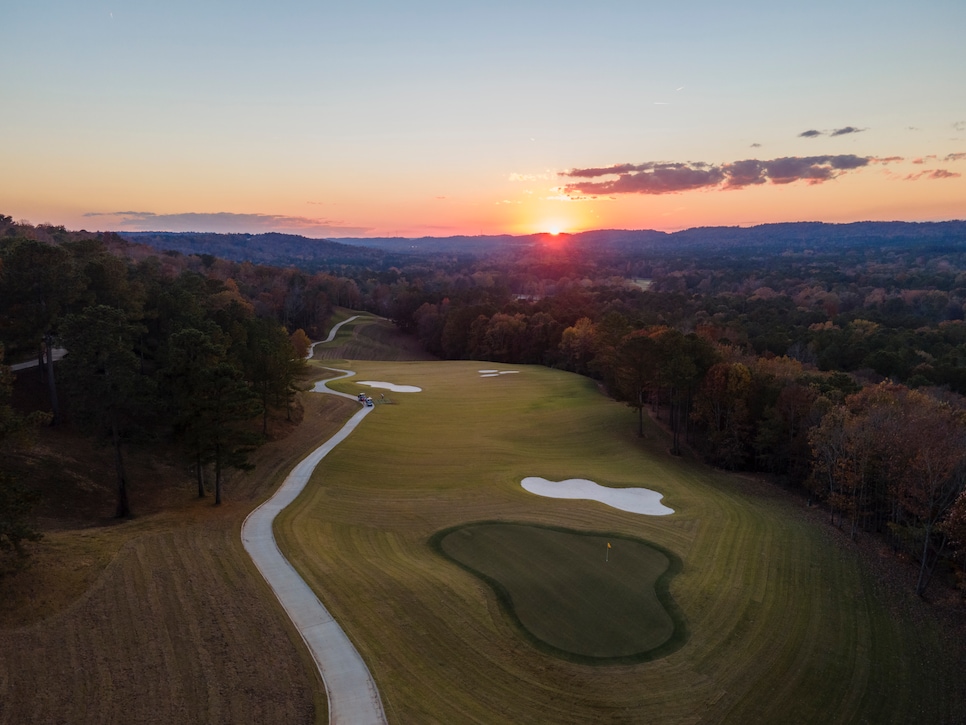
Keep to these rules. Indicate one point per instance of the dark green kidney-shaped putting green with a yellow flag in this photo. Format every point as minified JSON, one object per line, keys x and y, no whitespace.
{"x":588,"y":597}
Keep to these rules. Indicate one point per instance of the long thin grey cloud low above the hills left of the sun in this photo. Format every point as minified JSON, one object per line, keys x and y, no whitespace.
{"x":226,"y":222}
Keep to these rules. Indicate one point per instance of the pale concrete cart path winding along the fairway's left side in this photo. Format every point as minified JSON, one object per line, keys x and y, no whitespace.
{"x":352,"y":693}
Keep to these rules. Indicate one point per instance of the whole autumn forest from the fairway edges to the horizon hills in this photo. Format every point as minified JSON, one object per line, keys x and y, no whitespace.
{"x":830,"y":359}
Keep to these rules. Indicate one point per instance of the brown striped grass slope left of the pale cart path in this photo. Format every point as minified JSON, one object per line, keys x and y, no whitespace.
{"x":161,"y":618}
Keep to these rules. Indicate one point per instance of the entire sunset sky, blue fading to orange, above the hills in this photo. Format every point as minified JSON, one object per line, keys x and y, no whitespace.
{"x":369,"y":118}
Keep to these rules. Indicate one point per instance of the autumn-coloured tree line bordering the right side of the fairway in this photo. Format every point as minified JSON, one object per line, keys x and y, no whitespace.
{"x":885,"y":458}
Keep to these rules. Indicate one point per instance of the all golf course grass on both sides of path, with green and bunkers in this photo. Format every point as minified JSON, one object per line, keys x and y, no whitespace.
{"x":500,"y":546}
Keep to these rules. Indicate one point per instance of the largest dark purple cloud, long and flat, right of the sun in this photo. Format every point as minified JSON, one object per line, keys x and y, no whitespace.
{"x":669,"y":178}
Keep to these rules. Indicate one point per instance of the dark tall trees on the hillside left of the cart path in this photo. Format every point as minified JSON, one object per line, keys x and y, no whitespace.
{"x":156,"y":352}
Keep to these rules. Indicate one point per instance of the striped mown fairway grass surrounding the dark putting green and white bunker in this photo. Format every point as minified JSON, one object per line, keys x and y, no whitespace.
{"x":786,"y":625}
